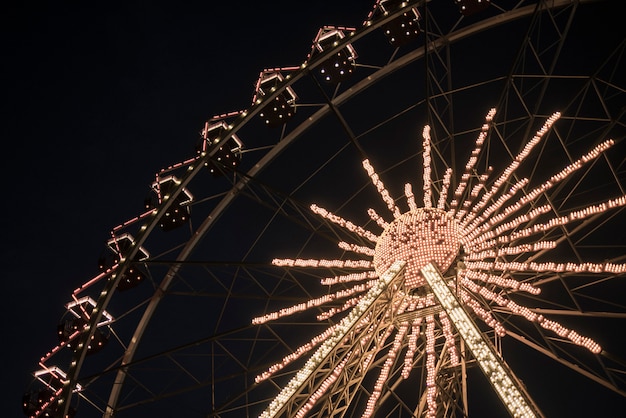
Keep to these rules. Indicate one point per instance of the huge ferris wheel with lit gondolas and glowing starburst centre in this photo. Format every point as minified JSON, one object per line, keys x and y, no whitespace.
{"x":424,"y":218}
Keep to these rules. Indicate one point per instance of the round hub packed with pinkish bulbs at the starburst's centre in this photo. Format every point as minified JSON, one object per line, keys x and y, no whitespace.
{"x":418,"y":237}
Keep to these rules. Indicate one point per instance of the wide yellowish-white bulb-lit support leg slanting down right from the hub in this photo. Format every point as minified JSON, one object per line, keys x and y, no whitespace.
{"x":490,"y":363}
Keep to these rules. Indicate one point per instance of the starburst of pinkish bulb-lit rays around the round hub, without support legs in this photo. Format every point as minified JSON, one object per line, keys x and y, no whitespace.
{"x":472,"y":234}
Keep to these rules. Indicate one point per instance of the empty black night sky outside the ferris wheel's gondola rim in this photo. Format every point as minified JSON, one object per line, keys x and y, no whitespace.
{"x":96,"y":99}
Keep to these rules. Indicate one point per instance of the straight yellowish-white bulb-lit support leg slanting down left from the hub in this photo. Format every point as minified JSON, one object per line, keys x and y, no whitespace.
{"x":339,"y":334}
